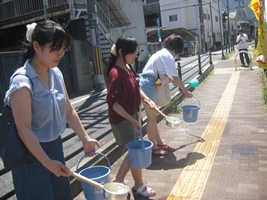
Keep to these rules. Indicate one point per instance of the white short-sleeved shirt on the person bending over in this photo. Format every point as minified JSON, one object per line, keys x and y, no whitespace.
{"x":164,"y":61}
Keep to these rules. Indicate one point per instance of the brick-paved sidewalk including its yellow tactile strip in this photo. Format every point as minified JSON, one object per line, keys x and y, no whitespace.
{"x":222,"y":156}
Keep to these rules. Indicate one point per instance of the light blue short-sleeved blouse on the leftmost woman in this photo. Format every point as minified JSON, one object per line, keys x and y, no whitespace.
{"x":48,"y":105}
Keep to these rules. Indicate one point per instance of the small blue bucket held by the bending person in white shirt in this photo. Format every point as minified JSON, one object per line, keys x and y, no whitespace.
{"x":190,"y":112}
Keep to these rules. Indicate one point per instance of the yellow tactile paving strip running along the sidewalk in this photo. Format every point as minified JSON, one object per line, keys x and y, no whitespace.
{"x":193,"y":178}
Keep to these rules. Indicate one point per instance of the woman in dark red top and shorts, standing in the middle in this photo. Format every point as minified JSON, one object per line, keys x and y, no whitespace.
{"x":123,"y":99}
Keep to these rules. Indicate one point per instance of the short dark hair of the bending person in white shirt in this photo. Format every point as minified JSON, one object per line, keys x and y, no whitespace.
{"x":174,"y":43}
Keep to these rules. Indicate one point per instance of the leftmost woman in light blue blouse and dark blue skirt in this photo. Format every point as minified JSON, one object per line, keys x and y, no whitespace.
{"x":41,"y":109}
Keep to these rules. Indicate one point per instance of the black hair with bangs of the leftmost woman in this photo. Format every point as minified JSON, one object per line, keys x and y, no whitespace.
{"x":46,"y":32}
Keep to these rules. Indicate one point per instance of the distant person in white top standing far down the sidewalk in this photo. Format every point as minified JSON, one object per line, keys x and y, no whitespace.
{"x":242,"y":43}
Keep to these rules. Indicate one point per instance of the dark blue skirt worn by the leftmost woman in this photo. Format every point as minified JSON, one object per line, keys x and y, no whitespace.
{"x":35,"y":182}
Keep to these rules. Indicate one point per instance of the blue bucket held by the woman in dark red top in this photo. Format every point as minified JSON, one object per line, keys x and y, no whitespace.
{"x":140,"y":152}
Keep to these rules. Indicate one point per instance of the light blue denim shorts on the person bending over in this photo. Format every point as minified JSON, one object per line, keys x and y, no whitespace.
{"x":147,"y":85}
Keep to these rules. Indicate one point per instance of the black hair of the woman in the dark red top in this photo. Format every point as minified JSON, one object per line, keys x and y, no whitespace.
{"x":127,"y":45}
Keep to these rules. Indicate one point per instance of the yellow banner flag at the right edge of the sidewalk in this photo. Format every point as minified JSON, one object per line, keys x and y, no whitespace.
{"x":260,"y":54}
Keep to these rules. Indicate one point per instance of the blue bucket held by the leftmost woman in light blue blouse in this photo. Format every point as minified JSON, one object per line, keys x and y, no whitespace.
{"x":99,"y":174}
